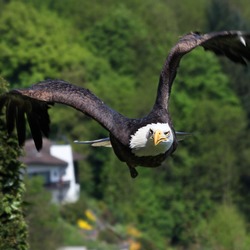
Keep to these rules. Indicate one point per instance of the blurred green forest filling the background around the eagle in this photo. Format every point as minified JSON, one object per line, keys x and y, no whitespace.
{"x":199,"y":199}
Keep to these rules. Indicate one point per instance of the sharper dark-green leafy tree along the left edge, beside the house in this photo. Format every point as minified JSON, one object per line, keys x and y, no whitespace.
{"x":13,"y":229}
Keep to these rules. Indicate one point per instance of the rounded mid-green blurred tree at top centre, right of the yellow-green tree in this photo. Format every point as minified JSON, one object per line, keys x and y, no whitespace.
{"x":120,"y":38}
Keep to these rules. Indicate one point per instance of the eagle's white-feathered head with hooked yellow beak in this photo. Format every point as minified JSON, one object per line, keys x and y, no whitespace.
{"x":152,"y":139}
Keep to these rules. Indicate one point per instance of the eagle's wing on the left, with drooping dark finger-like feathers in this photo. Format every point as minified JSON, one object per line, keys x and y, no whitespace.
{"x":34,"y":103}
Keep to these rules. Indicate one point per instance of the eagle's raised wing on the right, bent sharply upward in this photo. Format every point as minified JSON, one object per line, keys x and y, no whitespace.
{"x":233,"y":44}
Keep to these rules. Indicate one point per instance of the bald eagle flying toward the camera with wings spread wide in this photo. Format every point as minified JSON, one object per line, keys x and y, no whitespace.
{"x":144,"y":141}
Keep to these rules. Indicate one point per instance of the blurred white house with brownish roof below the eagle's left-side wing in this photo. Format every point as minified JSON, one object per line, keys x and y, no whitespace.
{"x":57,"y":165}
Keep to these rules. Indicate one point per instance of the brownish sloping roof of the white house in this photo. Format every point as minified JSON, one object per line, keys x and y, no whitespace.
{"x":43,"y":157}
